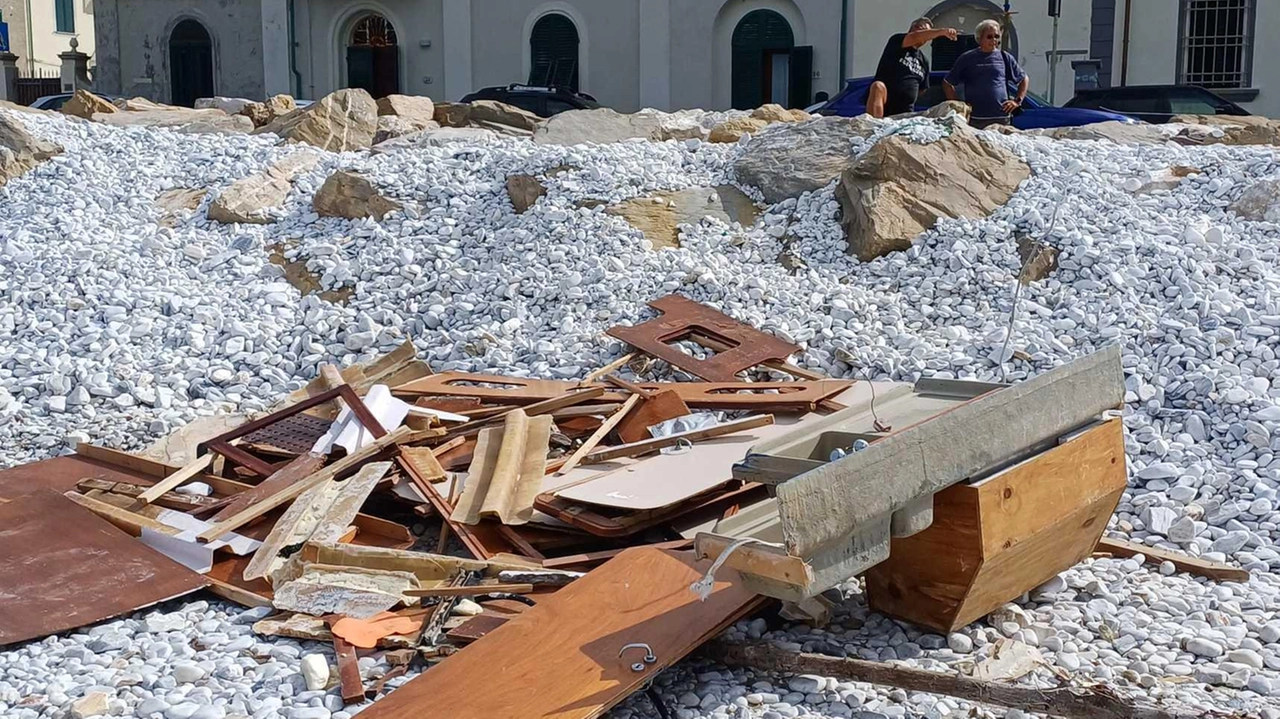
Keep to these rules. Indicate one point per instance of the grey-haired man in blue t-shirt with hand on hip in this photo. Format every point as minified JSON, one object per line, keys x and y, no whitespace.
{"x":986,"y":75}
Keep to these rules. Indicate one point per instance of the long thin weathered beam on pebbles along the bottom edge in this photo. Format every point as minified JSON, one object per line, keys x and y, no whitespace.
{"x":1068,"y":702}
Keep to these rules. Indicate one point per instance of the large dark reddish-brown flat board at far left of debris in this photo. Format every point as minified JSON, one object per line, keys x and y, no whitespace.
{"x":63,"y":567}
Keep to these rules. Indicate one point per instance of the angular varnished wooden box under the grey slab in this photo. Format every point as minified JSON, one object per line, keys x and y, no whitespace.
{"x":1005,"y":535}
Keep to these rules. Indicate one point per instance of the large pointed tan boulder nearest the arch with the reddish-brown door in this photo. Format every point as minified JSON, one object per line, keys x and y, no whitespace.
{"x":340,"y":122}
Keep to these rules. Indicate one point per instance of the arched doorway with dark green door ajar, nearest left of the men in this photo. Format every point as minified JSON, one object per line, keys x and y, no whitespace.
{"x":762,"y":61}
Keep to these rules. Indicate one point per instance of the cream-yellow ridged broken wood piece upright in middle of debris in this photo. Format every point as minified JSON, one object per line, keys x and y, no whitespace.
{"x":508,"y":471}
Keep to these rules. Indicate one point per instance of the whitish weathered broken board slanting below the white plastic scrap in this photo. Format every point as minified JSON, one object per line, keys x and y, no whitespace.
{"x":324,"y":512}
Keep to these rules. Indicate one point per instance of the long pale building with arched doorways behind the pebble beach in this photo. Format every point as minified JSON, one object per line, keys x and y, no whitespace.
{"x":629,"y":54}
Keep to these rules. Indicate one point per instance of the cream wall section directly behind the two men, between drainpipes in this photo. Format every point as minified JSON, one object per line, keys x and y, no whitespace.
{"x":876,"y":21}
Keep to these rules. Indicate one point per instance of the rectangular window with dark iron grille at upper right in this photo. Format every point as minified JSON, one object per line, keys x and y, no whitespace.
{"x":1215,"y":45}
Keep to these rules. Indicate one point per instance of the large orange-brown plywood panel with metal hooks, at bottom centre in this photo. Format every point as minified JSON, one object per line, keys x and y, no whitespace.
{"x":561,"y":657}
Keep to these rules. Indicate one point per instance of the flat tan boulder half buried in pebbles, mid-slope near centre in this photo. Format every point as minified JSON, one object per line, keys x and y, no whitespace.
{"x":660,"y":216}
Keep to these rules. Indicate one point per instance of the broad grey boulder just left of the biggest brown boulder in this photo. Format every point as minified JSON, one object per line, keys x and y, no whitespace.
{"x":792,"y":159}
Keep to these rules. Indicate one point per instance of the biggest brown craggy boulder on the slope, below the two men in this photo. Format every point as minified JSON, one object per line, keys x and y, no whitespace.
{"x":899,"y":189}
